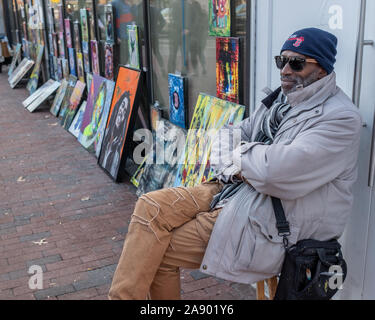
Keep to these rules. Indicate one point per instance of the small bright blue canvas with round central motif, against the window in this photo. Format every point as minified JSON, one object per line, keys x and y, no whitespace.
{"x":178,"y":100}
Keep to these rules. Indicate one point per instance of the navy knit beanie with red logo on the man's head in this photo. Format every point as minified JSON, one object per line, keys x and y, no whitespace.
{"x":315,"y":43}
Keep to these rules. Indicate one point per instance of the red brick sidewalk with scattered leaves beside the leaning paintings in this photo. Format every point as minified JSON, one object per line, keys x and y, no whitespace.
{"x":59,"y":210}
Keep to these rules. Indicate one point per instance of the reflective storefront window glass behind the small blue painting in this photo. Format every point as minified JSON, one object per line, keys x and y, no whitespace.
{"x":181,"y":45}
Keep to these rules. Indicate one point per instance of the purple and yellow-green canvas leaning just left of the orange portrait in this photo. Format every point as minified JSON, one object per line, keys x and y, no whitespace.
{"x":95,"y":118}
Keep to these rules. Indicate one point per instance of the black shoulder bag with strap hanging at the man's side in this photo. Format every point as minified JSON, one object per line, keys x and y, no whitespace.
{"x":312,"y":269}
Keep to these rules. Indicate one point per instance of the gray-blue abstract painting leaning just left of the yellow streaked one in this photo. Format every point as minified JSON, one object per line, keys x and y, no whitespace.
{"x":161,"y":171}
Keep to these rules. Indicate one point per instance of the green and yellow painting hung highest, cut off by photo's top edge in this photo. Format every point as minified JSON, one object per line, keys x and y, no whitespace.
{"x":219,"y":18}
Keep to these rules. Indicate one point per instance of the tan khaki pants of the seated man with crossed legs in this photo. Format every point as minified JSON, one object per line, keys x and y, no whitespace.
{"x":169,"y":229}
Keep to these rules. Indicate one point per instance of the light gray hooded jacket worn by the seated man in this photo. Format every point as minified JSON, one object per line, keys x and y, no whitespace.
{"x":311,"y":166}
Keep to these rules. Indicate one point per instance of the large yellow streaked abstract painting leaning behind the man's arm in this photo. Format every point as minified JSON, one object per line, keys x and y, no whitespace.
{"x":210,"y":115}
